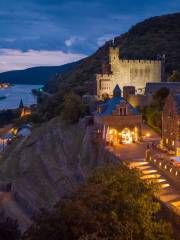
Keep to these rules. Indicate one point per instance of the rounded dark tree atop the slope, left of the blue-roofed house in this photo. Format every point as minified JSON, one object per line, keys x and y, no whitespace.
{"x":73,"y":108}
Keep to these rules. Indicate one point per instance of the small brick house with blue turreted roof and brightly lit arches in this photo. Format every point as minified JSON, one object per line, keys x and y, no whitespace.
{"x":117,"y":120}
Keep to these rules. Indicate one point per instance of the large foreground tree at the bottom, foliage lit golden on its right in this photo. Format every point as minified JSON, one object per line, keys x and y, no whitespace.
{"x":114,"y":204}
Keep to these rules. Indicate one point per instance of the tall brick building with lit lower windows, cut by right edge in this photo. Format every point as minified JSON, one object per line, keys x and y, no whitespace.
{"x":171,"y":124}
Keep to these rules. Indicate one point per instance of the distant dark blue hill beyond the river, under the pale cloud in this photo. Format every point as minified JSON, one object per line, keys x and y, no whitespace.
{"x":35,"y":75}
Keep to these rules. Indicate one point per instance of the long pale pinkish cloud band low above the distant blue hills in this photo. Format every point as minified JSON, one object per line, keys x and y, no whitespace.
{"x":14,"y":59}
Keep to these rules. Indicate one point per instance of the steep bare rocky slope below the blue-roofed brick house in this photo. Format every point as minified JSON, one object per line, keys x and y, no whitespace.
{"x":46,"y":166}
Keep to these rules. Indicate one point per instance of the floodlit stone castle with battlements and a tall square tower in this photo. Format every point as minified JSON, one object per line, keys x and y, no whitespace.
{"x":127,"y":73}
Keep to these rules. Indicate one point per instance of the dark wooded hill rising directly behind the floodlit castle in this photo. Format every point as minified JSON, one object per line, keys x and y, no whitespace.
{"x":157,"y":35}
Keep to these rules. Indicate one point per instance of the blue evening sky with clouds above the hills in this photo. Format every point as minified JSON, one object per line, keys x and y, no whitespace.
{"x":55,"y":32}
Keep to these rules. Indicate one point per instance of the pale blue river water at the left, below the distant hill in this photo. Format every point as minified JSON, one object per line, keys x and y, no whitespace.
{"x":15,"y":93}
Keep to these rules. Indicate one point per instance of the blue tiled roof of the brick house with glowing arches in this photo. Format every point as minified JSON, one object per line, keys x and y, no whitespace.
{"x":110,"y":105}
